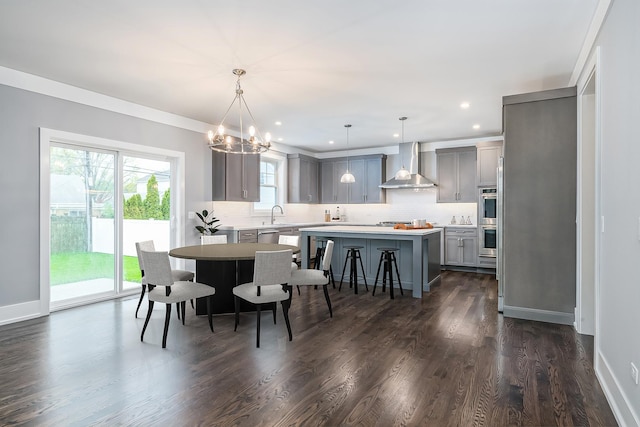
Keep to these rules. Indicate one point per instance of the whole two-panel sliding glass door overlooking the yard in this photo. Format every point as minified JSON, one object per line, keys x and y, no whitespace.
{"x":101,"y":203}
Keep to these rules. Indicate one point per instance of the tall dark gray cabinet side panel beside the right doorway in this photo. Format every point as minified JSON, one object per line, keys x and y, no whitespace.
{"x":539,"y":262}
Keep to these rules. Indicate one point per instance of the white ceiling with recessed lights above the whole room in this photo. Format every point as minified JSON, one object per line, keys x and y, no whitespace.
{"x":313,"y":65}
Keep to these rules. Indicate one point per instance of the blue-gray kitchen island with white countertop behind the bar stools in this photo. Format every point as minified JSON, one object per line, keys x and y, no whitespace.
{"x":418,"y":254}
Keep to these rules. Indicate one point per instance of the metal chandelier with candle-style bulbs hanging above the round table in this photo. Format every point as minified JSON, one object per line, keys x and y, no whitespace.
{"x":225,"y":143}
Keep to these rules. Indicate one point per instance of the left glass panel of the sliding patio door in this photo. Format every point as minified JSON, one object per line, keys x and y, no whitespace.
{"x":82,"y":220}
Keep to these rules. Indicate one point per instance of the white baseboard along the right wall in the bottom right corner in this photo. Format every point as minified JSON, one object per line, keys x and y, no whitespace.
{"x":618,"y":400}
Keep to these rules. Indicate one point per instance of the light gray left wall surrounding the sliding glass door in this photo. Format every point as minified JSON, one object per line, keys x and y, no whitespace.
{"x":23,"y":113}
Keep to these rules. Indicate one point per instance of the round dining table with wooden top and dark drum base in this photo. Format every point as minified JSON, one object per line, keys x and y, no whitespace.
{"x":224,"y":266}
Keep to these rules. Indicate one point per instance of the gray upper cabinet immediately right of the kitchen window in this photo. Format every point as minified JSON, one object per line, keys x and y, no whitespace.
{"x":303,"y":173}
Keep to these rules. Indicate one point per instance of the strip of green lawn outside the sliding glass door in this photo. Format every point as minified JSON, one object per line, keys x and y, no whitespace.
{"x":76,"y":267}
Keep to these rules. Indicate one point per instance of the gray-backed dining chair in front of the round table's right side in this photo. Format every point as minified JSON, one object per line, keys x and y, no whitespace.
{"x":271,"y":276}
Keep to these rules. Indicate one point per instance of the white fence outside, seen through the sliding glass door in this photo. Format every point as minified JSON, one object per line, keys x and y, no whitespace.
{"x":134,"y":230}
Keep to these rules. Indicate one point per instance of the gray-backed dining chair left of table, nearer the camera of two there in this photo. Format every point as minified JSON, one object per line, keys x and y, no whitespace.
{"x":164,"y":289}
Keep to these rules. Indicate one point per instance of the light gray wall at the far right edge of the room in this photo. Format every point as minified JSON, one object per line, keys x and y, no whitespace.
{"x":617,"y":342}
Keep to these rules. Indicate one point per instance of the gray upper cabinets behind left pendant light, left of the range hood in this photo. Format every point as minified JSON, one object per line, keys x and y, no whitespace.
{"x":369,"y":172}
